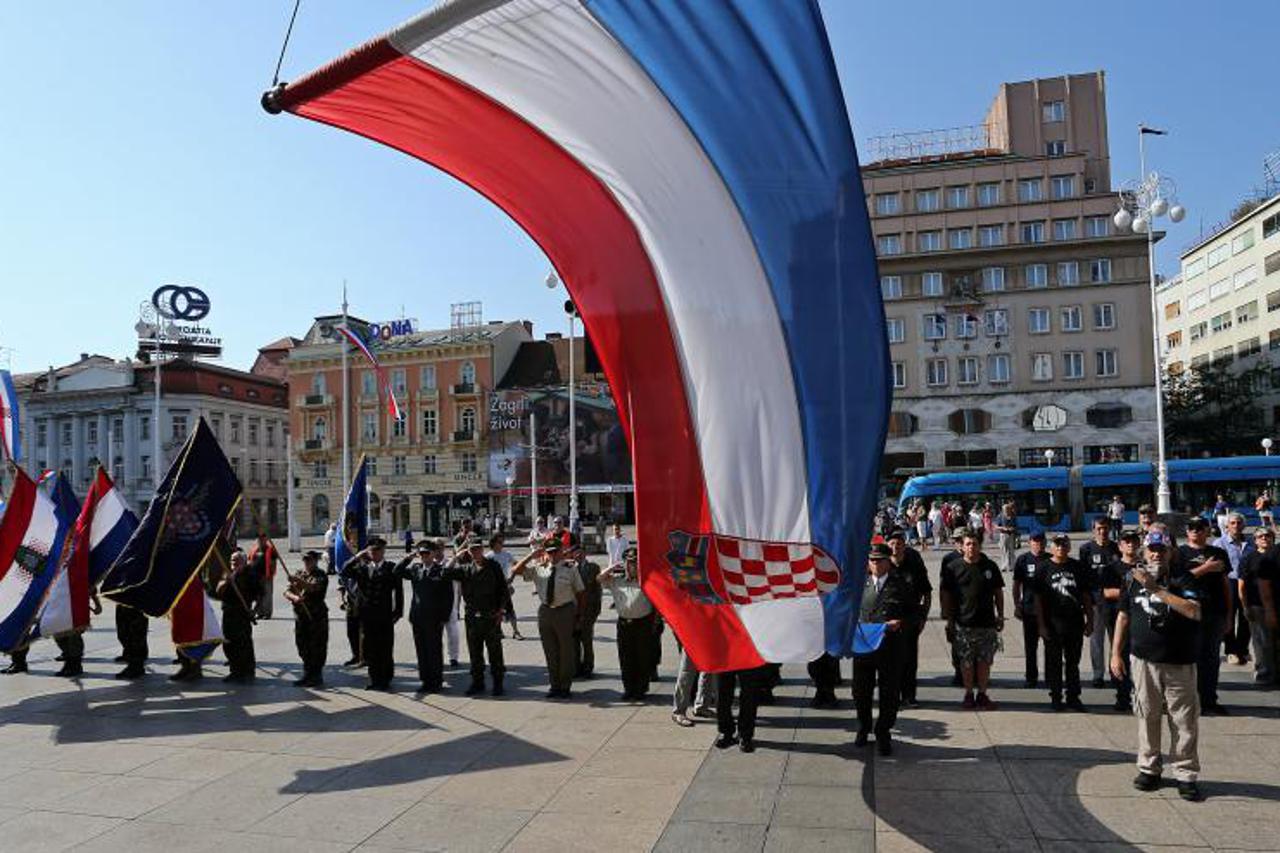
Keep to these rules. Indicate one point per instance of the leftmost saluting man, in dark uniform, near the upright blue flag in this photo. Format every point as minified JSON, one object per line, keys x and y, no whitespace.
{"x":380,"y":599}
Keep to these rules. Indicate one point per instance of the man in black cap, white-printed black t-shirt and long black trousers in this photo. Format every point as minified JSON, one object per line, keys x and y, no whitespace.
{"x":1064,"y":608}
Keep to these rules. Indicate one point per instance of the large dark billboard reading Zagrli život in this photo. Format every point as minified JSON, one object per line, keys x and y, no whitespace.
{"x":604,"y":459}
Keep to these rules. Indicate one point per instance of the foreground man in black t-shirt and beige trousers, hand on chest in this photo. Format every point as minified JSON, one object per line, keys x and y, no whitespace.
{"x":1158,"y":627}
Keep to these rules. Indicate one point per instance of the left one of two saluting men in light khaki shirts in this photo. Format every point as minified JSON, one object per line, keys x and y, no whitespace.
{"x":561,"y":592}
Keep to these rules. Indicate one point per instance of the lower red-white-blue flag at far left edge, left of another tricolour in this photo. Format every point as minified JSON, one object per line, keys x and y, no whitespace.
{"x":33,"y":537}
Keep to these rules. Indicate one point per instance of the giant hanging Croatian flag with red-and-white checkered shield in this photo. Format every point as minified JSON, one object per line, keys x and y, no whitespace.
{"x":689,"y":170}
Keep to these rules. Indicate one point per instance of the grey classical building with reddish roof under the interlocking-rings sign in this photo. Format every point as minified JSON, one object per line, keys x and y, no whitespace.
{"x":102,"y":410}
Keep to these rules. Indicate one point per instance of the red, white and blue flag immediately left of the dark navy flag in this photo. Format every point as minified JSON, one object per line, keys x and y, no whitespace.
{"x":102,"y":531}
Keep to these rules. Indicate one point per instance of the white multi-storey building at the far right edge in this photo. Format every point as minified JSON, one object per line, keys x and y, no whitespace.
{"x":1226,"y":305}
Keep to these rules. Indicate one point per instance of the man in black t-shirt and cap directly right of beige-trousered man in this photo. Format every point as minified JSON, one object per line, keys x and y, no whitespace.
{"x":1209,"y":567}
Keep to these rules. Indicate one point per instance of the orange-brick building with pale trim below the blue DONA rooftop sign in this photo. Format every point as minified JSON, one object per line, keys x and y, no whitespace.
{"x":427,"y":469}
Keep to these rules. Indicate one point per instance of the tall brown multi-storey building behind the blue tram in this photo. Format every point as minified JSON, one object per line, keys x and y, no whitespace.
{"x":1020,"y":321}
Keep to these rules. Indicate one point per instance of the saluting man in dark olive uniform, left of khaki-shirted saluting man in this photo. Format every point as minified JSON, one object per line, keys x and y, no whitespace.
{"x":484,"y":595}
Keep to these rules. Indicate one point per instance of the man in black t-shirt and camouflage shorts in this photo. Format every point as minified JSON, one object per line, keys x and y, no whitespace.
{"x":973,"y":604}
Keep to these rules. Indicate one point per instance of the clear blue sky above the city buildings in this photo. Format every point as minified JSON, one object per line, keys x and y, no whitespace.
{"x":134,"y":153}
